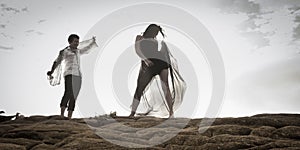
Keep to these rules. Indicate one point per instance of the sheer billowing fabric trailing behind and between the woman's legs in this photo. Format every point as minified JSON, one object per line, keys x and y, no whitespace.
{"x":153,"y":102}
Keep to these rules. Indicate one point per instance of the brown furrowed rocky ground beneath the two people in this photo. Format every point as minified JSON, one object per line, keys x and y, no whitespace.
{"x":264,"y":131}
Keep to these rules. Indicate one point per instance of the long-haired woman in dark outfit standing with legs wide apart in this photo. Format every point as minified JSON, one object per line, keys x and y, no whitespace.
{"x":153,"y":63}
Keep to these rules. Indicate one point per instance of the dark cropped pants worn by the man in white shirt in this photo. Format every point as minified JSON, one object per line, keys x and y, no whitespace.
{"x":72,"y":88}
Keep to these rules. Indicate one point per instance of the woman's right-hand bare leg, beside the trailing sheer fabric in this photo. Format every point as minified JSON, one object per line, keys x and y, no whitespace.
{"x":165,"y":86}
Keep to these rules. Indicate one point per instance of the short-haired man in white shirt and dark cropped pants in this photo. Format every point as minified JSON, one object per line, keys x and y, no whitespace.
{"x":72,"y":73}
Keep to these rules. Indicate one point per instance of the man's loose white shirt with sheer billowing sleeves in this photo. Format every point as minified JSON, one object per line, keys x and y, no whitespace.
{"x":69,"y":61}
